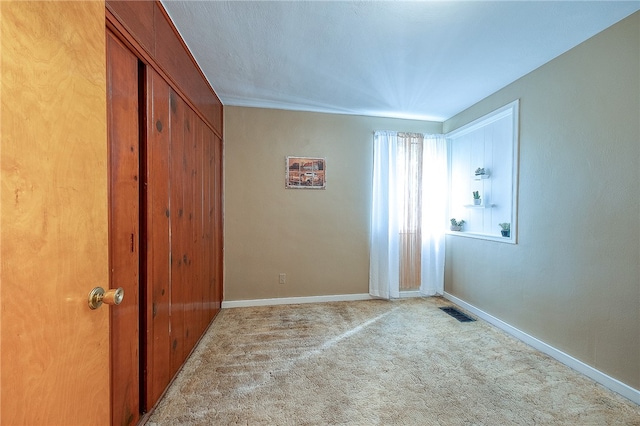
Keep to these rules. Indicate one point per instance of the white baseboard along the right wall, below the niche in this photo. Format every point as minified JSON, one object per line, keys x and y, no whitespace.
{"x":605,"y":380}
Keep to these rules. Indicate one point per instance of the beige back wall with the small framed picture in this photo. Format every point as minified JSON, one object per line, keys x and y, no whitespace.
{"x":319,"y":238}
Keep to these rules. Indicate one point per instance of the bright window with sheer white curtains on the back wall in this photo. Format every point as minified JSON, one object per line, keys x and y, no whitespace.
{"x":408,"y":214}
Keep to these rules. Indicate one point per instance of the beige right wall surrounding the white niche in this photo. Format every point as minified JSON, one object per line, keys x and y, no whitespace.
{"x":573,"y":280}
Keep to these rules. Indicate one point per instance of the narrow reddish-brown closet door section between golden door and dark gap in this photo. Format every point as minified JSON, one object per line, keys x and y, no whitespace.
{"x":124,"y":225}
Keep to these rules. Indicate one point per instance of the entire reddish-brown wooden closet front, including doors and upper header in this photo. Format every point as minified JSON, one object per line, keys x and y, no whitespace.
{"x":179,"y":209}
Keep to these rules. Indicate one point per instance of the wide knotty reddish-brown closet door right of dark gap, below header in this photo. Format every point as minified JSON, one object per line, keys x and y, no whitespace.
{"x":180,"y":229}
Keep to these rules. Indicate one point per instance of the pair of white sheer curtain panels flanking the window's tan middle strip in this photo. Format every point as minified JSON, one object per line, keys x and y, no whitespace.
{"x":384,"y":267}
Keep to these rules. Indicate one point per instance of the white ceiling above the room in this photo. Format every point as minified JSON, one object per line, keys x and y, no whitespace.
{"x":422,"y":60}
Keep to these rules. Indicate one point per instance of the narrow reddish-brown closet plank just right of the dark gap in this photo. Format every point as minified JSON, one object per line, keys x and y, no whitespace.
{"x":158,"y":213}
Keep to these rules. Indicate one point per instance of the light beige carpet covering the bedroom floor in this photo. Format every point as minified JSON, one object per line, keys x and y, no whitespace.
{"x":376,"y":362}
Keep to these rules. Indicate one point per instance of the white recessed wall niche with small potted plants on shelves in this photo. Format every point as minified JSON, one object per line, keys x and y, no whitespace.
{"x":483,"y":180}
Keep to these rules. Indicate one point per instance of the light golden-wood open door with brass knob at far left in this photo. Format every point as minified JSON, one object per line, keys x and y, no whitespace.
{"x":55,"y":350}
